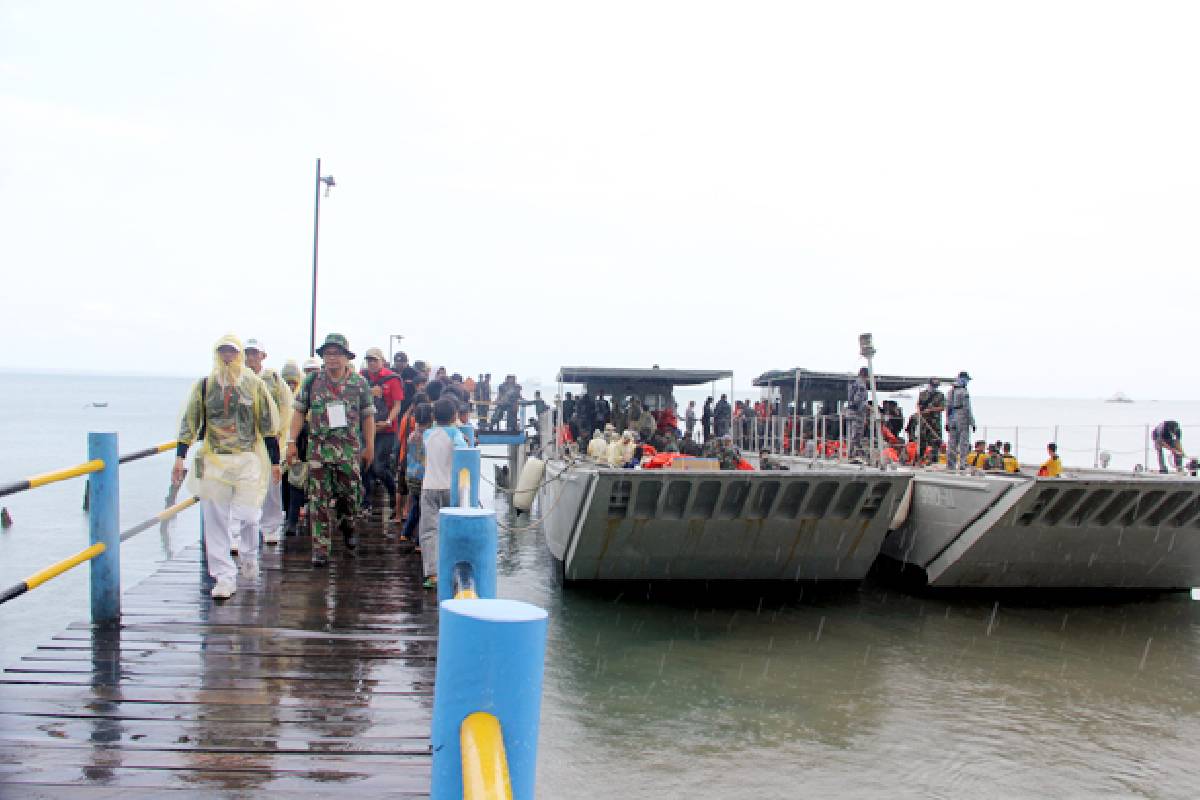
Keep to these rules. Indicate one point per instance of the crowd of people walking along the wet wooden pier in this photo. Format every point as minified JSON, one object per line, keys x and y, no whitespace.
{"x":316,"y":444}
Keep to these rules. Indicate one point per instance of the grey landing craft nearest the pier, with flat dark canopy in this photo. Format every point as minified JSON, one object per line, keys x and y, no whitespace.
{"x":605,"y":525}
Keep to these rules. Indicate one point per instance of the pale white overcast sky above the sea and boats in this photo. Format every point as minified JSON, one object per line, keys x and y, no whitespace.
{"x":1010,"y":189}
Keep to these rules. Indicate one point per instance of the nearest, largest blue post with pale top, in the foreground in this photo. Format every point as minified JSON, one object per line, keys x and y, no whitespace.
{"x":490,"y":659}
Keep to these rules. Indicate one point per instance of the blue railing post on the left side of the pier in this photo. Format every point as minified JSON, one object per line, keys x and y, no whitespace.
{"x":105,"y":526}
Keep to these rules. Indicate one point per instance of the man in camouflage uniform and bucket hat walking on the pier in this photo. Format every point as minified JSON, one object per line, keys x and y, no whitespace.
{"x":338,"y":405}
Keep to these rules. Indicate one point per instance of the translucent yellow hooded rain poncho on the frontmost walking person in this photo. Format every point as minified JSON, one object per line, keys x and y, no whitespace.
{"x":236,"y":411}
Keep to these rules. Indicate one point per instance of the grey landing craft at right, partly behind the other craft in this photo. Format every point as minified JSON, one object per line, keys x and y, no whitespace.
{"x":1085,"y":530}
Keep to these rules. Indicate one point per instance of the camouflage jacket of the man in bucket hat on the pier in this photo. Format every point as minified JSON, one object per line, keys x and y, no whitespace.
{"x":317,"y":394}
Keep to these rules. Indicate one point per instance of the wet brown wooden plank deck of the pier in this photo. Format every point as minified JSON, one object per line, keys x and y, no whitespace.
{"x":309,"y":683}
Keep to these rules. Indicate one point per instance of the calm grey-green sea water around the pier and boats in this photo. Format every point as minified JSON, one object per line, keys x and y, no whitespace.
{"x":735,"y":691}
